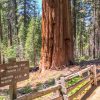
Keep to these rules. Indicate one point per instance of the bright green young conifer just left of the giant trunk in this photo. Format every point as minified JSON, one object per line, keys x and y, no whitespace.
{"x":33,"y":40}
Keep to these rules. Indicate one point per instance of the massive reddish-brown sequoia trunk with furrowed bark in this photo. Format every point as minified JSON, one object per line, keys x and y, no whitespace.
{"x":57,"y":38}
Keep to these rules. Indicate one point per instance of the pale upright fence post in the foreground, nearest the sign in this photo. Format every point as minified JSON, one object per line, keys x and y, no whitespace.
{"x":64,"y":88}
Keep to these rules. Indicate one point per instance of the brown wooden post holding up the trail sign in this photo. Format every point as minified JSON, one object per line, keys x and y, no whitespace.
{"x":13,"y":87}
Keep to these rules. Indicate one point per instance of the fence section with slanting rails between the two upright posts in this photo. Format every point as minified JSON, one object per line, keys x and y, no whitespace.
{"x":88,"y":79}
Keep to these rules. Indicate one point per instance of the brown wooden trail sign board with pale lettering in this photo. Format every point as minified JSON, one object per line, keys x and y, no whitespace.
{"x":13,"y":72}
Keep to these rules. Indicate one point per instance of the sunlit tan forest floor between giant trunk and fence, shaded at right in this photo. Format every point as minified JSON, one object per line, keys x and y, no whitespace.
{"x":37,"y":77}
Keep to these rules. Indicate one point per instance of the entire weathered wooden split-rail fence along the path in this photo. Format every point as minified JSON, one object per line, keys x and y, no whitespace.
{"x":88,"y":76}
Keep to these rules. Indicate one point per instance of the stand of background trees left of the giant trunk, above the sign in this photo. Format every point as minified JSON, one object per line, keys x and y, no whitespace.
{"x":20,"y":30}
